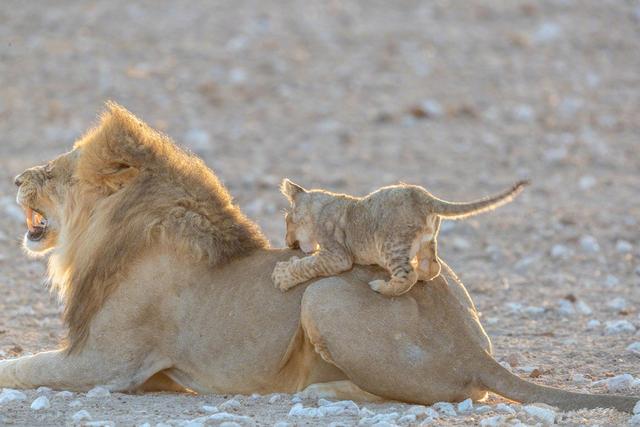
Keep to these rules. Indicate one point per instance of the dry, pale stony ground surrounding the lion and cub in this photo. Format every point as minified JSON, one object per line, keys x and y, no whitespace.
{"x":461,"y":97}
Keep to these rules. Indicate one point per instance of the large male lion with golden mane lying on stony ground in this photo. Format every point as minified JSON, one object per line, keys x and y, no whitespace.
{"x":167,"y":285}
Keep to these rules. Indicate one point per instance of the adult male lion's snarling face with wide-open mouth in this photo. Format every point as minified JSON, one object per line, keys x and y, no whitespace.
{"x":42,"y":194}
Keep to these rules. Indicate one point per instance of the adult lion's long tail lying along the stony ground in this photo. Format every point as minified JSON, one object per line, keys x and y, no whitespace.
{"x":499,"y":380}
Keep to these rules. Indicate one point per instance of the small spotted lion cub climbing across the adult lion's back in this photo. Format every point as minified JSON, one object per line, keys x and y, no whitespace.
{"x":395,"y":227}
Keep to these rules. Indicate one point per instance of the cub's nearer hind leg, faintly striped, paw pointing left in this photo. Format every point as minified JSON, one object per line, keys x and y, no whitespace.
{"x":397,"y":256}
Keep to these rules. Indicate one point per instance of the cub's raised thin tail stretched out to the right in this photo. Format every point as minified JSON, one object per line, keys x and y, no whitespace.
{"x":453,"y":210}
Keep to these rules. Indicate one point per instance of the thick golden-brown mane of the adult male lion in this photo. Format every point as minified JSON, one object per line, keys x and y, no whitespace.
{"x":134,"y":189}
